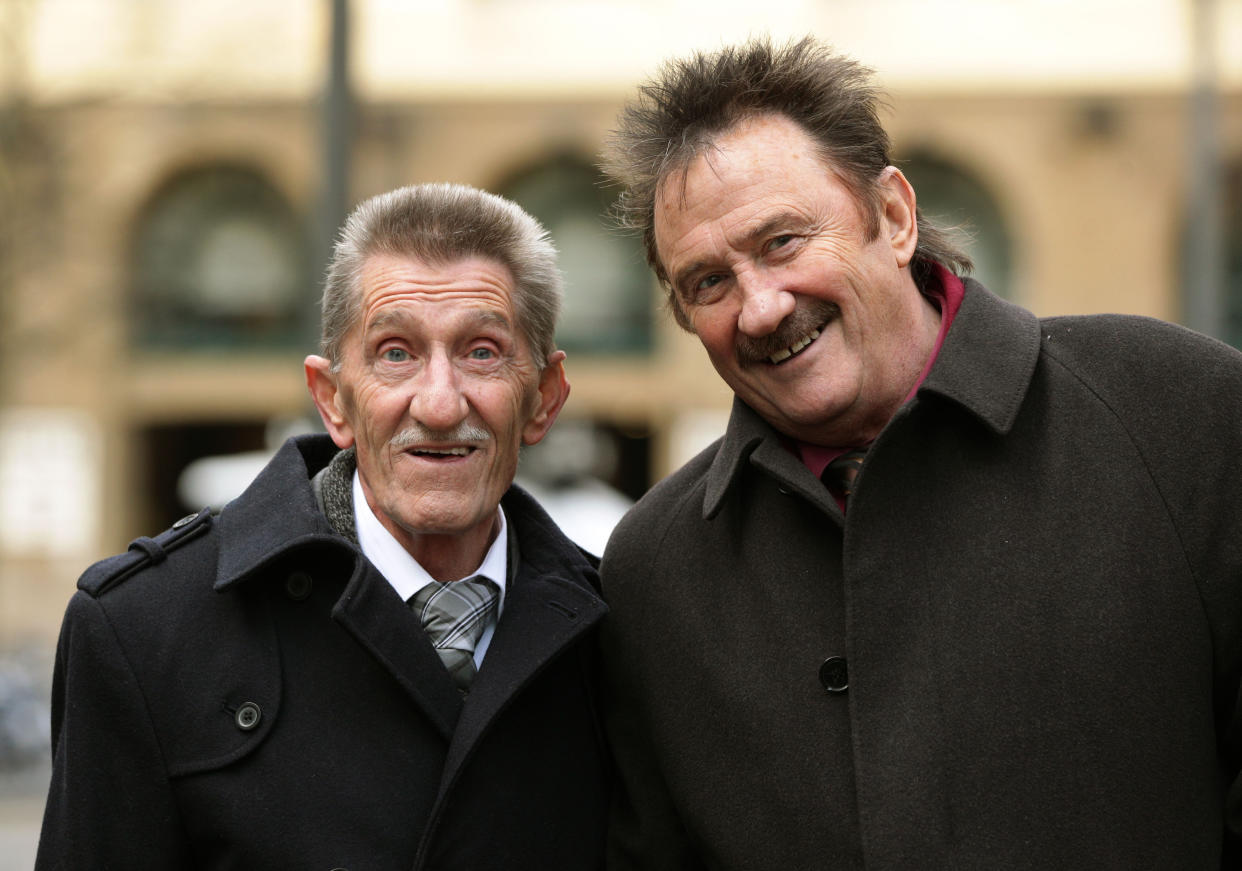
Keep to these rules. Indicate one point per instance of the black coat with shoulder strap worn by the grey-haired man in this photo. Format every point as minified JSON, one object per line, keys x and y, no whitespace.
{"x":247,"y":691}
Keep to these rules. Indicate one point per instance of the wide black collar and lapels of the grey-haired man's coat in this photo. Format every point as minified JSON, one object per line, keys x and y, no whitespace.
{"x":553,"y":601}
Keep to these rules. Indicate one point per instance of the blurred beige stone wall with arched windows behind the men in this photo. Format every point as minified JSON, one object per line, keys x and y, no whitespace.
{"x":1095,"y":208}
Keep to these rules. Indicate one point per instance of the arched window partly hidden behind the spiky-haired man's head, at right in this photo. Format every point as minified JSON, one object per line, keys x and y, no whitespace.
{"x":952,"y":197}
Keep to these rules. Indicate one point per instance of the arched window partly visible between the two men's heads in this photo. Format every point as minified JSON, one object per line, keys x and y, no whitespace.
{"x":608,"y":286}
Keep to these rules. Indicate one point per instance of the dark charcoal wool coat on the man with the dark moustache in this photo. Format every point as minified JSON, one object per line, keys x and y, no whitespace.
{"x":1033,"y":608}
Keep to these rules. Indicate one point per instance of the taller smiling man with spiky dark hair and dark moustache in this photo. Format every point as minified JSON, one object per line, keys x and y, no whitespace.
{"x":959,"y":588}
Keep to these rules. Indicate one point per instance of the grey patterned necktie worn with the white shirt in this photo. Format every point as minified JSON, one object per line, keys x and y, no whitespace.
{"x":455,"y":617}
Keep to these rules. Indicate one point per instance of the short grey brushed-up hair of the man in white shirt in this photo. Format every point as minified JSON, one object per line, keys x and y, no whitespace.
{"x":443,"y":224}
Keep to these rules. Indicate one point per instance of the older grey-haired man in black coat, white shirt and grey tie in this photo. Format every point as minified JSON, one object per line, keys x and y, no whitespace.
{"x":379,"y":657}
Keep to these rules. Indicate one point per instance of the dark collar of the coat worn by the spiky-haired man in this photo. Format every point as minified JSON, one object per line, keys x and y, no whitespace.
{"x":986,"y":367}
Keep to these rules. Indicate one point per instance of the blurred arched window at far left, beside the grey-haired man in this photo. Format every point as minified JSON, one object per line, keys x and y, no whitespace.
{"x":220,"y":260}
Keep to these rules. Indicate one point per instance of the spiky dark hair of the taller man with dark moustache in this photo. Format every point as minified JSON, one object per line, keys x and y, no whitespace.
{"x":695,"y":101}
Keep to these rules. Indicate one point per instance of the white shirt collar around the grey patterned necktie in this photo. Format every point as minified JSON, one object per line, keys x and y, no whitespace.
{"x":404,"y":573}
